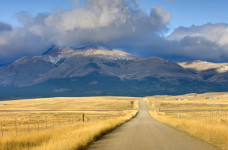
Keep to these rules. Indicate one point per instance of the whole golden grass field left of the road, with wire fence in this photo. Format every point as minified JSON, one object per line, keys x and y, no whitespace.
{"x":57,"y":123}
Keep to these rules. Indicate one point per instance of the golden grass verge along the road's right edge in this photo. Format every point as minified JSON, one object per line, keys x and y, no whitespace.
{"x":213,"y":132}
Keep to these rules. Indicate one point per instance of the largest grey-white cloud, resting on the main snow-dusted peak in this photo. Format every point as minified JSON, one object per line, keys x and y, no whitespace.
{"x":116,"y":24}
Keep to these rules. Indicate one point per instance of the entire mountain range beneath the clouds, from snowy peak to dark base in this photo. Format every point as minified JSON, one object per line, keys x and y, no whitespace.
{"x":91,"y":71}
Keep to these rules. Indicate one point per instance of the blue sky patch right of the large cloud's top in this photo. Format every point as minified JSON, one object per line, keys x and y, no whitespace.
{"x":192,"y":12}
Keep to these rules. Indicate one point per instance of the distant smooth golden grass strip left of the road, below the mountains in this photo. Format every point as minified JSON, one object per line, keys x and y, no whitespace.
{"x":69,"y":103}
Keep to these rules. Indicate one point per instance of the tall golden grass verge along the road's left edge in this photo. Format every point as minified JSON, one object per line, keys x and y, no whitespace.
{"x":75,"y":139}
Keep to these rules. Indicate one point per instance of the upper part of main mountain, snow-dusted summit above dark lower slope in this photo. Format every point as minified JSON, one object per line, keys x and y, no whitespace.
{"x":59,"y":63}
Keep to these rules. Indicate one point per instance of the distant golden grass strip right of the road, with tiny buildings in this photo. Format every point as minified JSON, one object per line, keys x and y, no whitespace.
{"x":193,"y":101}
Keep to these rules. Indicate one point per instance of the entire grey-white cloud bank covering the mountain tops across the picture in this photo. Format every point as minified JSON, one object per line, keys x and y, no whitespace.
{"x":119,"y":24}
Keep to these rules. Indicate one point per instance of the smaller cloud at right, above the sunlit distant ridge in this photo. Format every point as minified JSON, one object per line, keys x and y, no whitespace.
{"x":206,"y":42}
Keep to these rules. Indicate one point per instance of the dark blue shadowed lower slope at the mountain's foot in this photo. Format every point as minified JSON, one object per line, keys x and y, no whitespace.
{"x":95,"y":84}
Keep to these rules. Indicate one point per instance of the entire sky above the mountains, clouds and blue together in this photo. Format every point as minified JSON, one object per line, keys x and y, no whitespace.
{"x":116,"y":24}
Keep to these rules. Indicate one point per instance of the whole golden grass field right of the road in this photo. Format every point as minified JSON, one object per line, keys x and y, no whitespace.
{"x":204,"y":116}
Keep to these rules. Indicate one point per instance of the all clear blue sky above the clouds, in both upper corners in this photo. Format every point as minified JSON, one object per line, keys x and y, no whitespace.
{"x":183,"y":12}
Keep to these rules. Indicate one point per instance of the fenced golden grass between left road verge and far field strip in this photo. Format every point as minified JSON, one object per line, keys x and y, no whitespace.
{"x":20,"y":122}
